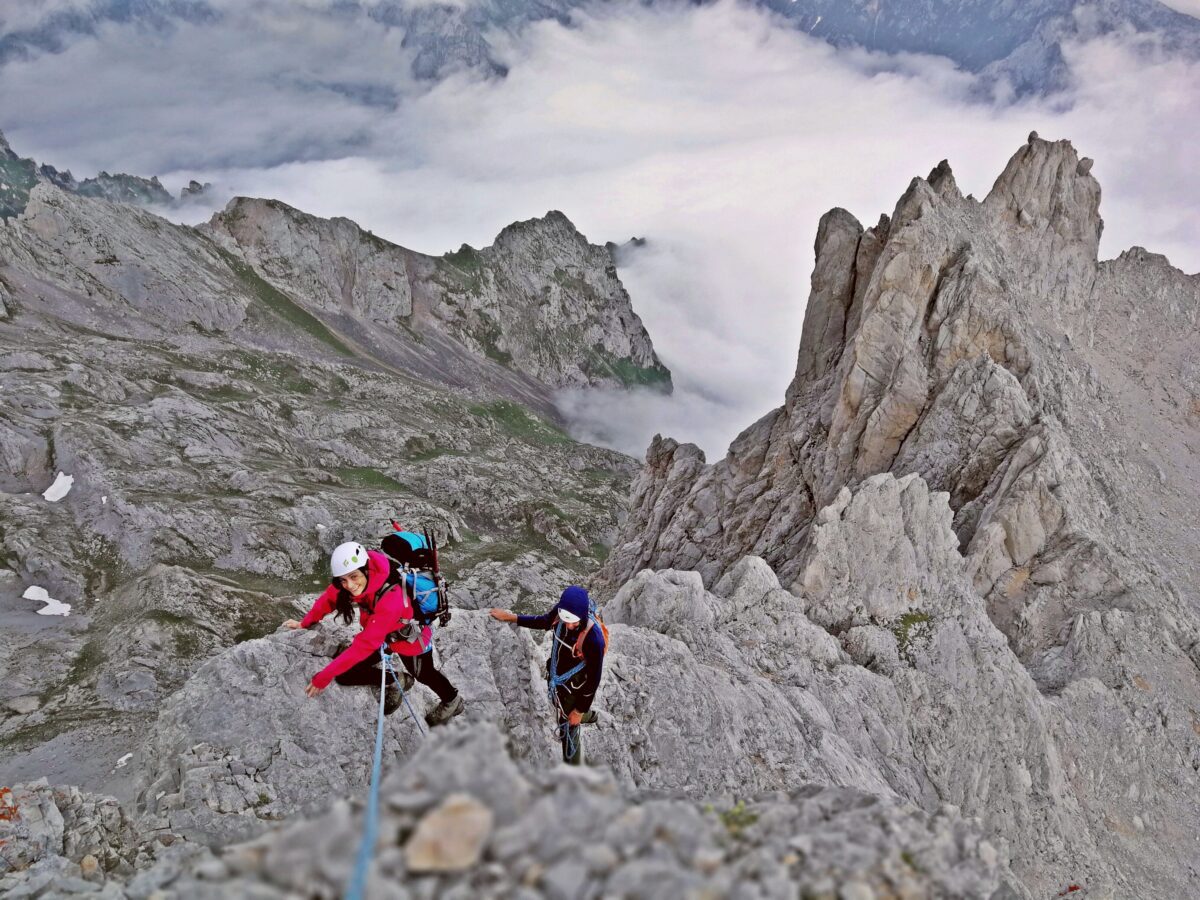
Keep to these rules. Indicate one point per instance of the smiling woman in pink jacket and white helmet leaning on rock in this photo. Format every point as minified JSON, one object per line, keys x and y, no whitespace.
{"x":359,"y":578}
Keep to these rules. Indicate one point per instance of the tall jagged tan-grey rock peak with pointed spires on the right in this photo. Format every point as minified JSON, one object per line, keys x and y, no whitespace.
{"x":982,"y":346}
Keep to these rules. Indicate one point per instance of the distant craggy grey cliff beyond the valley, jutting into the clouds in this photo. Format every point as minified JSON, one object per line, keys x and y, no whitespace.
{"x":541,"y":301}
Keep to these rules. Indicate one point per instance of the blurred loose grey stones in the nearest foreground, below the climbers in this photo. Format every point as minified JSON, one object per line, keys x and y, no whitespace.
{"x":559,"y":833}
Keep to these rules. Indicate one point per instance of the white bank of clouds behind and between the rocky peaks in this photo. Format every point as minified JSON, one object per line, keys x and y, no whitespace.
{"x":712,"y":131}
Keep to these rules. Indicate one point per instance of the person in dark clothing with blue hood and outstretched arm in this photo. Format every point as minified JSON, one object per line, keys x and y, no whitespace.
{"x":575,"y":663}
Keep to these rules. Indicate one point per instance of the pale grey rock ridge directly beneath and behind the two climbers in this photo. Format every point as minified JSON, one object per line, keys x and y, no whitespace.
{"x":721,"y":695}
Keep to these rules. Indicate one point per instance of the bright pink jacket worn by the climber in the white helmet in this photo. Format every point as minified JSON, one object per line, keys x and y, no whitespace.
{"x":379,"y":617}
